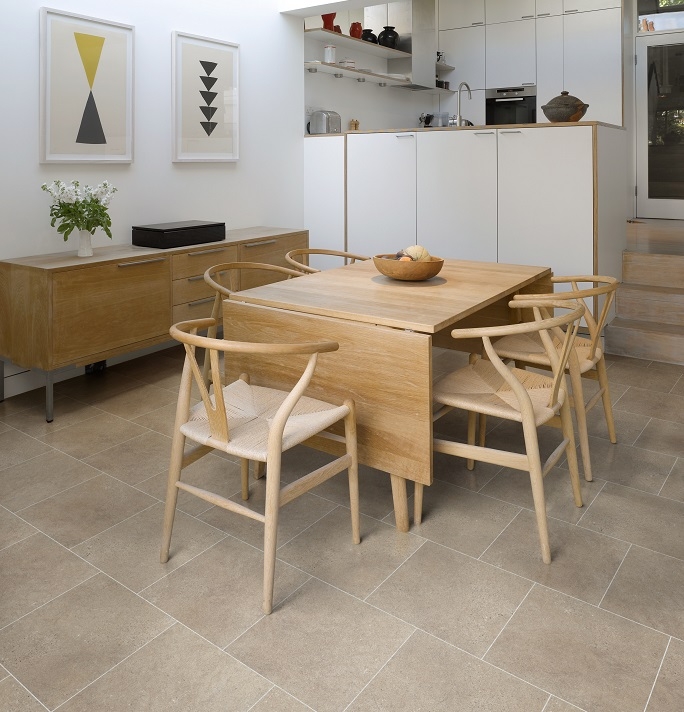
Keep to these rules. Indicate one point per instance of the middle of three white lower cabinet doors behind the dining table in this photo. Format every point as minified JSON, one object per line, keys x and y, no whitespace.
{"x":456,"y":204}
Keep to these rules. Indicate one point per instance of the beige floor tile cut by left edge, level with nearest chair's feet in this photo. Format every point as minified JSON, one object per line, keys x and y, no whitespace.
{"x":36,"y":570}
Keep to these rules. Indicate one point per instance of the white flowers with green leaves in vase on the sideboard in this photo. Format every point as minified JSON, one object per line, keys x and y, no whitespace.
{"x":79,"y":207}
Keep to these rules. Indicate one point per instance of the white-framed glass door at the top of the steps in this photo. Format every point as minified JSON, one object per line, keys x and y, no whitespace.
{"x":660,"y":125}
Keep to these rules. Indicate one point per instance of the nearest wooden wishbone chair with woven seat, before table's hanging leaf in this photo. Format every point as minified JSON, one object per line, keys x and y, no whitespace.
{"x":254,"y":423}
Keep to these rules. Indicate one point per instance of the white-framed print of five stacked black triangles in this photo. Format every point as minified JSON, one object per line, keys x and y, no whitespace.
{"x":205,"y":95}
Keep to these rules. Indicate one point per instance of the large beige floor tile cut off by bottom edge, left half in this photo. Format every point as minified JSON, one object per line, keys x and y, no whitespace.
{"x":176,"y":671}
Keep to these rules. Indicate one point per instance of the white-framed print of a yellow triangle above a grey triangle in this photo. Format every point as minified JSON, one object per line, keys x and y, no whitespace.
{"x":86,"y":89}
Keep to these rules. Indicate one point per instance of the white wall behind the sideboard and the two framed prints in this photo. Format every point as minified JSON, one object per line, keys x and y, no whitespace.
{"x":265,"y":187}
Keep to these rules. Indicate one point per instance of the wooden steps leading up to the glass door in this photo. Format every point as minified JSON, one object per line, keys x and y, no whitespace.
{"x":649,"y":320}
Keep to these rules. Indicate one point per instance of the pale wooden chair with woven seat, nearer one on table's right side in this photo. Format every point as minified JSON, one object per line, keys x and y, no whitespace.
{"x":491,"y":387}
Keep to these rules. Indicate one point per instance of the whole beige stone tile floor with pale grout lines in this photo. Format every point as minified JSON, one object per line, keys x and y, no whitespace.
{"x":458,"y":614}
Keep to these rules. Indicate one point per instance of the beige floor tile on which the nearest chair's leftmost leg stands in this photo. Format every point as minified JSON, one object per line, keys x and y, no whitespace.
{"x":129,"y":551}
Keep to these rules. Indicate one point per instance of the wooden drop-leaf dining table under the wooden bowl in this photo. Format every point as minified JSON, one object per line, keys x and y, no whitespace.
{"x":386,"y":330}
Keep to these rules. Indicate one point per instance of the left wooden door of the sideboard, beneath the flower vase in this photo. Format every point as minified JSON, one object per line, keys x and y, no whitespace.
{"x":99,"y":308}
